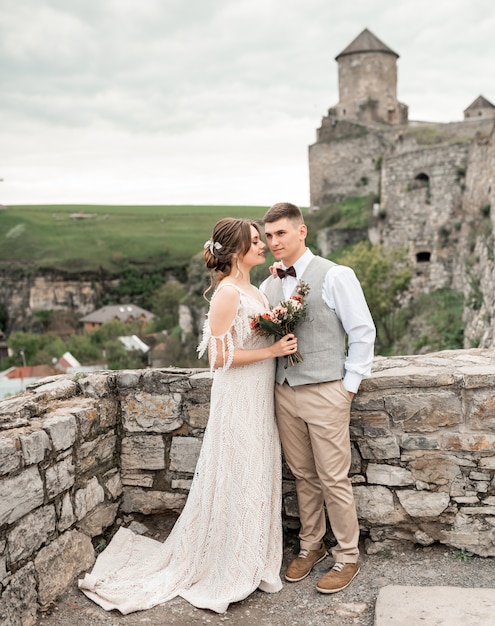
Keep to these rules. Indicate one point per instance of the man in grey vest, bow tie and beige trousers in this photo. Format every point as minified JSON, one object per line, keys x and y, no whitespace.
{"x":313,"y":398}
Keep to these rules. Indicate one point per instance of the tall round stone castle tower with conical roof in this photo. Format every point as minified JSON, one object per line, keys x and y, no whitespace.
{"x":368,"y":82}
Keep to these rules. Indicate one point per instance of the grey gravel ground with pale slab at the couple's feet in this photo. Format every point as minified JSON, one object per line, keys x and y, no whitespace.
{"x":408,"y":586}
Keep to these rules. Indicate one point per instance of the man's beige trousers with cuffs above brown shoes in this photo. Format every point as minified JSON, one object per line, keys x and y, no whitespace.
{"x":313,"y":422}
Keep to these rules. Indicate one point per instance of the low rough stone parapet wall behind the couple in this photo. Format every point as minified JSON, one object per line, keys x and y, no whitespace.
{"x":78,"y":452}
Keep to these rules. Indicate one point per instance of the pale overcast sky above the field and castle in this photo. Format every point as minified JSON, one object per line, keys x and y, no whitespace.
{"x":207,"y":101}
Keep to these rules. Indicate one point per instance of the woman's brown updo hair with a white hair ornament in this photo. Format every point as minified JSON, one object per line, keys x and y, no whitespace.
{"x":230,"y":236}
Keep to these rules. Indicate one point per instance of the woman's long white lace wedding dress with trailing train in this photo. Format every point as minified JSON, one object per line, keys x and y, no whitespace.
{"x":228,"y":540}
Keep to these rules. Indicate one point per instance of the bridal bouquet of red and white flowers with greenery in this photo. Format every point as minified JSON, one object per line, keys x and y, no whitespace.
{"x":284,"y":318}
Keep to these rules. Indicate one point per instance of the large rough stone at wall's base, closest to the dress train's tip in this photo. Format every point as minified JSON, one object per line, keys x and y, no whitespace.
{"x":58,"y":565}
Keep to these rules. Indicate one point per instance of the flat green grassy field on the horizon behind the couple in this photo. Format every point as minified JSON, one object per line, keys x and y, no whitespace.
{"x":114,"y":238}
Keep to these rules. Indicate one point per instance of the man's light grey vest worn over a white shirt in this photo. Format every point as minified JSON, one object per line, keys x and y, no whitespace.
{"x":320,"y":338}
